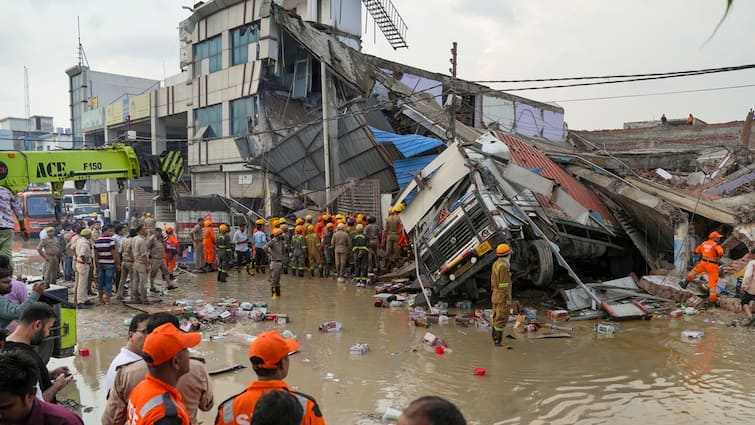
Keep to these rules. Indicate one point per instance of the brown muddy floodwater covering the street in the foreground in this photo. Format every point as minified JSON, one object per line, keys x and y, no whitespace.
{"x":645,"y":373}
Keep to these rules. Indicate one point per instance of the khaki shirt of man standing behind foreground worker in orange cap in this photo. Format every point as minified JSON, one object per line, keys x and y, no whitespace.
{"x":195,"y":388}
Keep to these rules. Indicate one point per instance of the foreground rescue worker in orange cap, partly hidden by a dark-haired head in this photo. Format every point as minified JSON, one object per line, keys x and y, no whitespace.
{"x":269,"y":356}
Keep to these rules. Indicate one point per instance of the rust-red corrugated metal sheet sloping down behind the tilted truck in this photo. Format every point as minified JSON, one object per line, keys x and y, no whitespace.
{"x":529,"y":157}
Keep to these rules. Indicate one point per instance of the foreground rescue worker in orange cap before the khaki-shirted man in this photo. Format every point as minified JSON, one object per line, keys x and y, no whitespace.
{"x":156,"y":399}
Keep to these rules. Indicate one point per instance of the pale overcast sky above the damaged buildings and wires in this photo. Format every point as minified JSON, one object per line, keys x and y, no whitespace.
{"x":497,"y":40}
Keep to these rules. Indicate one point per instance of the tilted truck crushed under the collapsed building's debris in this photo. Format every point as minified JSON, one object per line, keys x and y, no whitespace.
{"x":499,"y":189}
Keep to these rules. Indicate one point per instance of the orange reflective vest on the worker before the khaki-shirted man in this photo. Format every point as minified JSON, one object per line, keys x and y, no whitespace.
{"x":154,"y":400}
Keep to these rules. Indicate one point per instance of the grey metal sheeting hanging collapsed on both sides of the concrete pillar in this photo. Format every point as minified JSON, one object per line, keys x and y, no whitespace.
{"x":299,"y":159}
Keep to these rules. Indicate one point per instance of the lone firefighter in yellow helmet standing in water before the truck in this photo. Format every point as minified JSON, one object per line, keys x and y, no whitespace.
{"x":500,"y":285}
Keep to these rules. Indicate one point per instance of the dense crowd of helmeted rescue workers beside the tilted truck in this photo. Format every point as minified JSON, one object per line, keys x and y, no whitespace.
{"x":337,"y":246}
